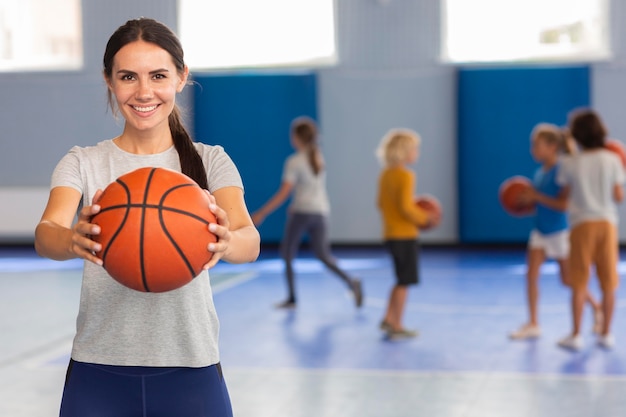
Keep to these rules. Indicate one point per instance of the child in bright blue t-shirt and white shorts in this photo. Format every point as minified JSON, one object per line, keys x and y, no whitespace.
{"x":550,"y":235}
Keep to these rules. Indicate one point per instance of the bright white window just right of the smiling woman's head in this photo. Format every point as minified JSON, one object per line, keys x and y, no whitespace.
{"x":251,"y":33}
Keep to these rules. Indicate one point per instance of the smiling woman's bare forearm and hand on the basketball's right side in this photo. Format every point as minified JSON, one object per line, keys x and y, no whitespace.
{"x":238,"y":240}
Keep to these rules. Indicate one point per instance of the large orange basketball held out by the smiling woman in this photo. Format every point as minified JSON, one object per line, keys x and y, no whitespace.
{"x":154,"y":229}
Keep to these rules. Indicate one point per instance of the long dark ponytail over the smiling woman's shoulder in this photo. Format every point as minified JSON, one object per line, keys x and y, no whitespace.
{"x":190,"y":160}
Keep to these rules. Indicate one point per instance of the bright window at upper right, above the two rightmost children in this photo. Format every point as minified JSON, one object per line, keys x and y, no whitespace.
{"x":525,"y":30}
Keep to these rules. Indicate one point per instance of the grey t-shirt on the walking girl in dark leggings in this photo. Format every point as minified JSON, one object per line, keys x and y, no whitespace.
{"x":309,"y":195}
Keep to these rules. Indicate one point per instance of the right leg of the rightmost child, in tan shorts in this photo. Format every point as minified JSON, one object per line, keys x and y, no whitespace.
{"x":606,"y":256}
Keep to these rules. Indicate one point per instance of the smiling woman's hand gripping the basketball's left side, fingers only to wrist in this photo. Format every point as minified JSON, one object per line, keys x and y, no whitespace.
{"x":82,"y":245}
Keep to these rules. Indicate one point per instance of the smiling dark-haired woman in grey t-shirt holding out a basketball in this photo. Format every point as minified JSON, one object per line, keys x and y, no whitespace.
{"x":134,"y":352}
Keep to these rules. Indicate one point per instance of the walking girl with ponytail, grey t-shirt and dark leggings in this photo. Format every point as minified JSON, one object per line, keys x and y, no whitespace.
{"x":305,"y":177}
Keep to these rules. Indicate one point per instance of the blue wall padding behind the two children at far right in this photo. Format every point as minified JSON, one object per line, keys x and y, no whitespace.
{"x":497,"y":110}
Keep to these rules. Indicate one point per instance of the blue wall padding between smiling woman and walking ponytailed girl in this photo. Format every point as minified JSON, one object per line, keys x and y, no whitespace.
{"x":249,"y":115}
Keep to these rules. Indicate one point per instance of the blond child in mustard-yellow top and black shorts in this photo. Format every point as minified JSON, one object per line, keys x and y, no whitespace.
{"x":401,"y":219}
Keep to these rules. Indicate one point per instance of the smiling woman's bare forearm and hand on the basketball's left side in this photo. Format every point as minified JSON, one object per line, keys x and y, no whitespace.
{"x":56,"y":238}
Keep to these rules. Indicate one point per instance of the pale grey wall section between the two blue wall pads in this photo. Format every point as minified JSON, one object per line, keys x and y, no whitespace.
{"x":388,"y":77}
